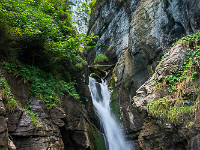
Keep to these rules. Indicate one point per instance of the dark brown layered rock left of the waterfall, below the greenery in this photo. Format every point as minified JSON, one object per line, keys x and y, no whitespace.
{"x":64,"y":127}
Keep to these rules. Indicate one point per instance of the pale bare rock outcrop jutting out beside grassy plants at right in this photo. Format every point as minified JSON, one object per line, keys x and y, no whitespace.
{"x":171,"y":63}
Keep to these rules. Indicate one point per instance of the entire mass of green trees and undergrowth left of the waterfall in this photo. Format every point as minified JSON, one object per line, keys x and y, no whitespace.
{"x":39,"y":43}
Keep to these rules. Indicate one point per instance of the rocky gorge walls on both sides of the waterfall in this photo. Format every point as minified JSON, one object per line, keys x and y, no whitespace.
{"x":137,"y":38}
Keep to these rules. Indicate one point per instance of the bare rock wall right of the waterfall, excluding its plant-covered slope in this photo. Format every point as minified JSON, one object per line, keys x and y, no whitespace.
{"x":134,"y":35}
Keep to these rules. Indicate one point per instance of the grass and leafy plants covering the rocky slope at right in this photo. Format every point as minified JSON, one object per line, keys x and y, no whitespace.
{"x":183,"y":94}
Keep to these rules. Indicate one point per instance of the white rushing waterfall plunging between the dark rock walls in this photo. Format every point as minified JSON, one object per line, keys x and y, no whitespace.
{"x":113,"y":133}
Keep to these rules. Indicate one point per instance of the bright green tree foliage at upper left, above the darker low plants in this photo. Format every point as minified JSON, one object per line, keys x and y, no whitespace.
{"x":41,"y":32}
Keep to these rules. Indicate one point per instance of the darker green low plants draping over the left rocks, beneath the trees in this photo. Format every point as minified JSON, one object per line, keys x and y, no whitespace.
{"x":43,"y":85}
